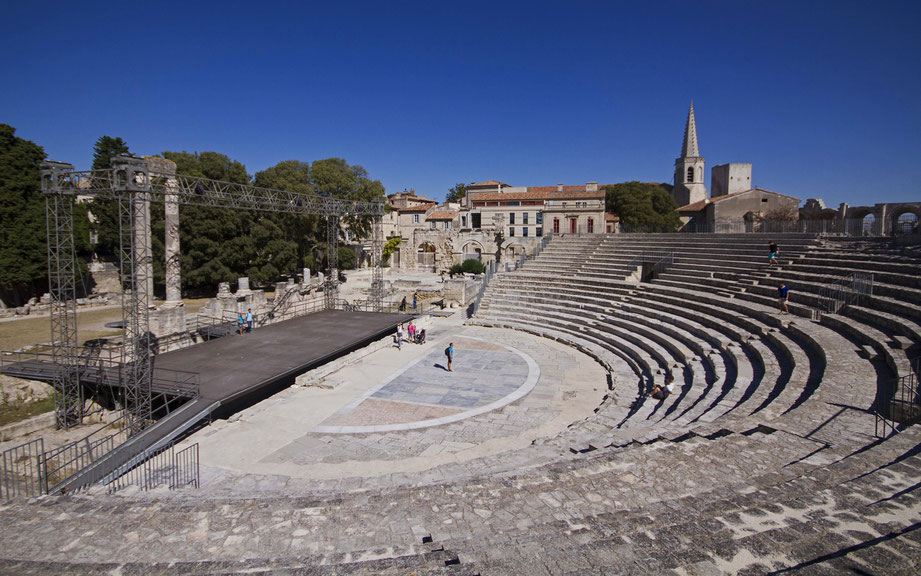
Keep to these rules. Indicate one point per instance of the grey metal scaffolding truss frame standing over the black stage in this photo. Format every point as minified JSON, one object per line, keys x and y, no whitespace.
{"x":134,"y":186}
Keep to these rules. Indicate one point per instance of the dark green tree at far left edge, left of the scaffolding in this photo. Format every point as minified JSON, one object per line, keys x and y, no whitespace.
{"x":23,"y":254}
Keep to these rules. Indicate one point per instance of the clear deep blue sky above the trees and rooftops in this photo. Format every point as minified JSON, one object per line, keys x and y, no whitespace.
{"x":824,"y":98}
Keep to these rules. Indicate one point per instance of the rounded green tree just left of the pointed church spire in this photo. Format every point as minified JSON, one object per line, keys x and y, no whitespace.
{"x":642,"y":207}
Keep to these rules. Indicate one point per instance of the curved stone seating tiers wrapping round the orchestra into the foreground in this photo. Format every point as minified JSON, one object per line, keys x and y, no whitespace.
{"x":765,"y":459}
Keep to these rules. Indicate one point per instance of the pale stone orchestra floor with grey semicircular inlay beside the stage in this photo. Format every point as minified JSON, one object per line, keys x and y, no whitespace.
{"x":399,"y":414}
